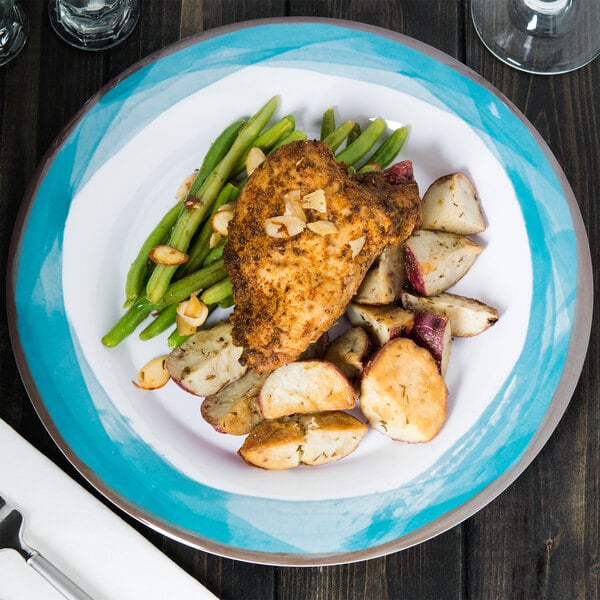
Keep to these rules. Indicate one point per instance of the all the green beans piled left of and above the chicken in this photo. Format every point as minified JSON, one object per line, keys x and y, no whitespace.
{"x":157,"y":289}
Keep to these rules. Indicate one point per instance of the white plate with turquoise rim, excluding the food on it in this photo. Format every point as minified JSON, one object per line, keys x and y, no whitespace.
{"x":113,"y":174}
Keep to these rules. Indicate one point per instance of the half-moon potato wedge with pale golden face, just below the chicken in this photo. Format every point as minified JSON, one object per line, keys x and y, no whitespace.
{"x":305,"y":386}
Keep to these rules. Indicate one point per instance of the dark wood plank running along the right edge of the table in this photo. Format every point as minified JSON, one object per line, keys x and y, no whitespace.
{"x":540,"y":538}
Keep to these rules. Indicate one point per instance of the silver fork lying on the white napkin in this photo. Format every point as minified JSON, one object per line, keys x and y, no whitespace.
{"x":11,"y":525}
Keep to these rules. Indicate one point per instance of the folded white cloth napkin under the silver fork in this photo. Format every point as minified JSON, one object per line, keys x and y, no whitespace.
{"x":94,"y":547}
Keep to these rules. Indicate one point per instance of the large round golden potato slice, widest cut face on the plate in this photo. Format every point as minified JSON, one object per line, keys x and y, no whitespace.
{"x":403,"y":395}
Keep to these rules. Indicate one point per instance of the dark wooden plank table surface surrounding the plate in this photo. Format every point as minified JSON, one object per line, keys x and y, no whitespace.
{"x":541,"y":537}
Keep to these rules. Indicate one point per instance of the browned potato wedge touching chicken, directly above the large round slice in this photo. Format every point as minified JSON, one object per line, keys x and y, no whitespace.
{"x":382,"y":322}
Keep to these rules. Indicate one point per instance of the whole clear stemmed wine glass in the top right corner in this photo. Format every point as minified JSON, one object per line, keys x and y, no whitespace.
{"x":539,"y":36}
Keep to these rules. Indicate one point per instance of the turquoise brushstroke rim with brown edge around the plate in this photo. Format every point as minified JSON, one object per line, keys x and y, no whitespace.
{"x":321,"y":532}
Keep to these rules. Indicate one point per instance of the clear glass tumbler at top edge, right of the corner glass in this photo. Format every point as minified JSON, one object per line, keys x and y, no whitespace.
{"x":93,"y":24}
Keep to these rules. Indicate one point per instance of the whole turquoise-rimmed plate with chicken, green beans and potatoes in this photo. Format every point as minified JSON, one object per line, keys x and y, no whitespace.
{"x":300,"y":292}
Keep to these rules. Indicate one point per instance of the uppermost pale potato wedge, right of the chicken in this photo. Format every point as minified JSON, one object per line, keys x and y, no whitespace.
{"x":451,"y":204}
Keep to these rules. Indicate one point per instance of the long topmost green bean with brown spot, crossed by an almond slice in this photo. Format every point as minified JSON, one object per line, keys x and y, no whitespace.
{"x":198,"y":206}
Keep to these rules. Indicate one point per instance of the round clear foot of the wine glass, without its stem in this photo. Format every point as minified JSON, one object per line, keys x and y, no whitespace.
{"x":547,"y":53}
